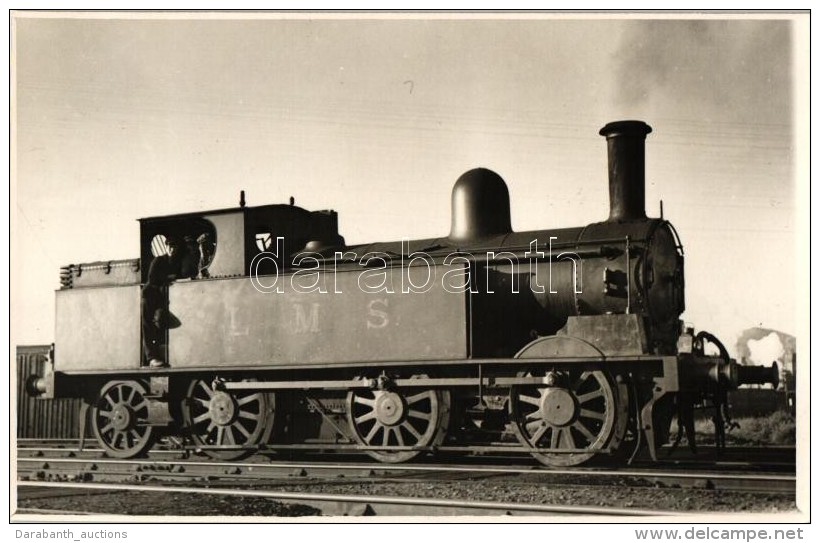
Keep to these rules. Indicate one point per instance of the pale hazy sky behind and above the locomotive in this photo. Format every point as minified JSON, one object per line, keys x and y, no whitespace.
{"x":122,"y":119}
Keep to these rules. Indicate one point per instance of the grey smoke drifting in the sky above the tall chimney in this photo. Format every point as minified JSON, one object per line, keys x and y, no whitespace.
{"x":670,"y":55}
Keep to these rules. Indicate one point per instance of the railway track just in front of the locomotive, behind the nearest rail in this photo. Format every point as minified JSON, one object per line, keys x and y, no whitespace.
{"x":263,"y":470}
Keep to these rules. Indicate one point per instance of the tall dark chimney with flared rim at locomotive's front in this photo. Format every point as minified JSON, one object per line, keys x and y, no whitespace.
{"x":627,"y":175}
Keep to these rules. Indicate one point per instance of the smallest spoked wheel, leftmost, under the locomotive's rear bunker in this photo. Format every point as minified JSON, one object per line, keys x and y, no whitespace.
{"x":119,"y":418}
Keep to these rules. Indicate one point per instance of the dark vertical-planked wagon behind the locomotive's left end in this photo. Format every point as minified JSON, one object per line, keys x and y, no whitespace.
{"x":37,"y":417}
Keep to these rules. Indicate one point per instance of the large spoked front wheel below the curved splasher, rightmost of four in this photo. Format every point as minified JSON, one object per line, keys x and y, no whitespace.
{"x":578,"y":412}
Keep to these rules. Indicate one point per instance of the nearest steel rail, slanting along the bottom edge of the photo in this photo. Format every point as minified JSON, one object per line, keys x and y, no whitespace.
{"x":408,"y":506}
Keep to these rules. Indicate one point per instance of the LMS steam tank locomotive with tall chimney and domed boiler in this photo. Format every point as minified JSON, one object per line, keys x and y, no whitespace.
{"x":563,"y":344}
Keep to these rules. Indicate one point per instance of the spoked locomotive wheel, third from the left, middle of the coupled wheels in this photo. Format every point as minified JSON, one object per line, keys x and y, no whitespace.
{"x":398,"y":418}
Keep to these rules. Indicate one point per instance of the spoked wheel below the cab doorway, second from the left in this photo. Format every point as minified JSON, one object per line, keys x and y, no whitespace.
{"x":237,"y":420}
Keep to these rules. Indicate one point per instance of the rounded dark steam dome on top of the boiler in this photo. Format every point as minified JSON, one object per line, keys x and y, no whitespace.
{"x":481,"y":206}
